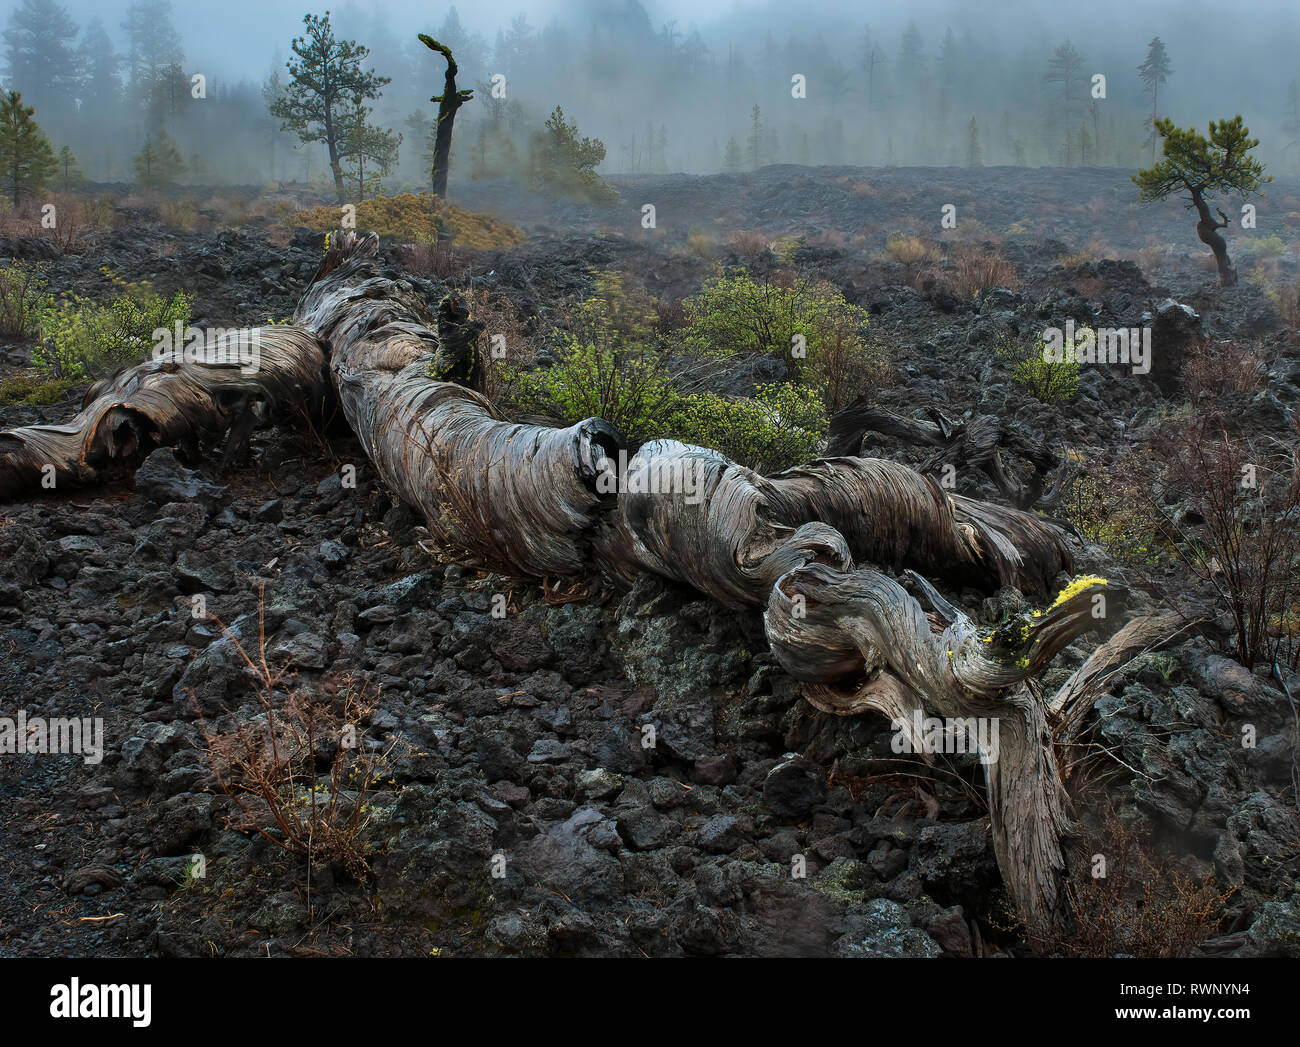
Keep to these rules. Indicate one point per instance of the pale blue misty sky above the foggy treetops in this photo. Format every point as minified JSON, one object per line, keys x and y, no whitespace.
{"x":239,"y":37}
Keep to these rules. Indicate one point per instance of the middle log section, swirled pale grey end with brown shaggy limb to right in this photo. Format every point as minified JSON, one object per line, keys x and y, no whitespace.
{"x":691,"y":514}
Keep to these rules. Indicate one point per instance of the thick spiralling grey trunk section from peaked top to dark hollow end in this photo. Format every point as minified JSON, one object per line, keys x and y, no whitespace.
{"x":512,"y":497}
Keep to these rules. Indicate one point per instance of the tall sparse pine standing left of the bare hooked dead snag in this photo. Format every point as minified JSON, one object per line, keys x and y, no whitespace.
{"x":324,"y":79}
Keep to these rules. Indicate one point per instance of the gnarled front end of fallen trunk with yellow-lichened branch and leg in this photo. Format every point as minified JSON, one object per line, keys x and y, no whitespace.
{"x":863,"y":643}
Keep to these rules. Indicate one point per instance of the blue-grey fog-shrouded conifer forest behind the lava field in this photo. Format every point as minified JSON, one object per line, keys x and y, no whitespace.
{"x":929,"y":85}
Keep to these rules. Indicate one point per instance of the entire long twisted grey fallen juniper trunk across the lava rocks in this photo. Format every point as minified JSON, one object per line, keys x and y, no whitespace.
{"x":567,"y":503}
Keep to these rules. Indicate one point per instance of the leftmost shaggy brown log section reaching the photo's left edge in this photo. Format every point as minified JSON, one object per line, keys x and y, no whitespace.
{"x":224,"y":387}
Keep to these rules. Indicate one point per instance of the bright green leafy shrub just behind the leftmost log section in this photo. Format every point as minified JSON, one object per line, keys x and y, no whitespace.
{"x":83,"y":339}
